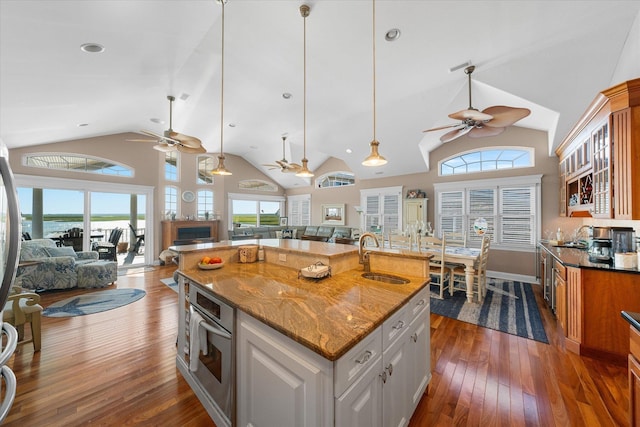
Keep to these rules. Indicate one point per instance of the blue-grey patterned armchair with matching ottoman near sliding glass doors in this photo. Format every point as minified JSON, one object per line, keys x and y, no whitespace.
{"x":44,"y":266}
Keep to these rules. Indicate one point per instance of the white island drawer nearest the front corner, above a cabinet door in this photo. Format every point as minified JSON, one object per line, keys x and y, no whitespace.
{"x":356,"y":361}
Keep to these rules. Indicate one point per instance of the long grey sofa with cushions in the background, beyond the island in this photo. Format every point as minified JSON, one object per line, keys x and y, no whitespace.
{"x":324,"y":233}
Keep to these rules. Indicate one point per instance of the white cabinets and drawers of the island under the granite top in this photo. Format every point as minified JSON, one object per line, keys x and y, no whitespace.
{"x":379,"y":382}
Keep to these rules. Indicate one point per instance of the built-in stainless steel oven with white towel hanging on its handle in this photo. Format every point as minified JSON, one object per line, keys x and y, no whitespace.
{"x":211,"y":326}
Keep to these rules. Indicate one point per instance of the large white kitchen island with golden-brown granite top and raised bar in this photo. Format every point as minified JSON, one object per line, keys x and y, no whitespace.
{"x":342,"y":350}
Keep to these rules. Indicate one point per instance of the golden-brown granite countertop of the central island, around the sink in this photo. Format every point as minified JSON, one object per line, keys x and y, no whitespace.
{"x":329,"y":316}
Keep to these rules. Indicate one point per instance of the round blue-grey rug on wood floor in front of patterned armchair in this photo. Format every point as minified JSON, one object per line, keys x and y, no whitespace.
{"x":93,"y":302}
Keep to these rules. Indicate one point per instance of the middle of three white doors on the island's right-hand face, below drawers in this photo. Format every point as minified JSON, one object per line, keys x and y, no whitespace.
{"x":395,"y":406}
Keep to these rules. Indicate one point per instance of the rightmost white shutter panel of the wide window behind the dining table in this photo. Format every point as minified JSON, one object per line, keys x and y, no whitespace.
{"x":518,"y":220}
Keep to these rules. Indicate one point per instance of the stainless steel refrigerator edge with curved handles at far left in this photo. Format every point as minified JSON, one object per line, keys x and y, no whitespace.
{"x":10,"y":237}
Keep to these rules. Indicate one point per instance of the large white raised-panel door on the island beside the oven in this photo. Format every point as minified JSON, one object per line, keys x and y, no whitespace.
{"x":279,"y":382}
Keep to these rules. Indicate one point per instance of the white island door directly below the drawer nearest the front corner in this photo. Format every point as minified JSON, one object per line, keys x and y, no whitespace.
{"x":361,"y":404}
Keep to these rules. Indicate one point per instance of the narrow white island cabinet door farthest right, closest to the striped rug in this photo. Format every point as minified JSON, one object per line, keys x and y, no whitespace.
{"x":419,"y":358}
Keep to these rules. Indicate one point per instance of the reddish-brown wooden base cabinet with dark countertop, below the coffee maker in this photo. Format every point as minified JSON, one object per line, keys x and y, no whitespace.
{"x":589,"y":297}
